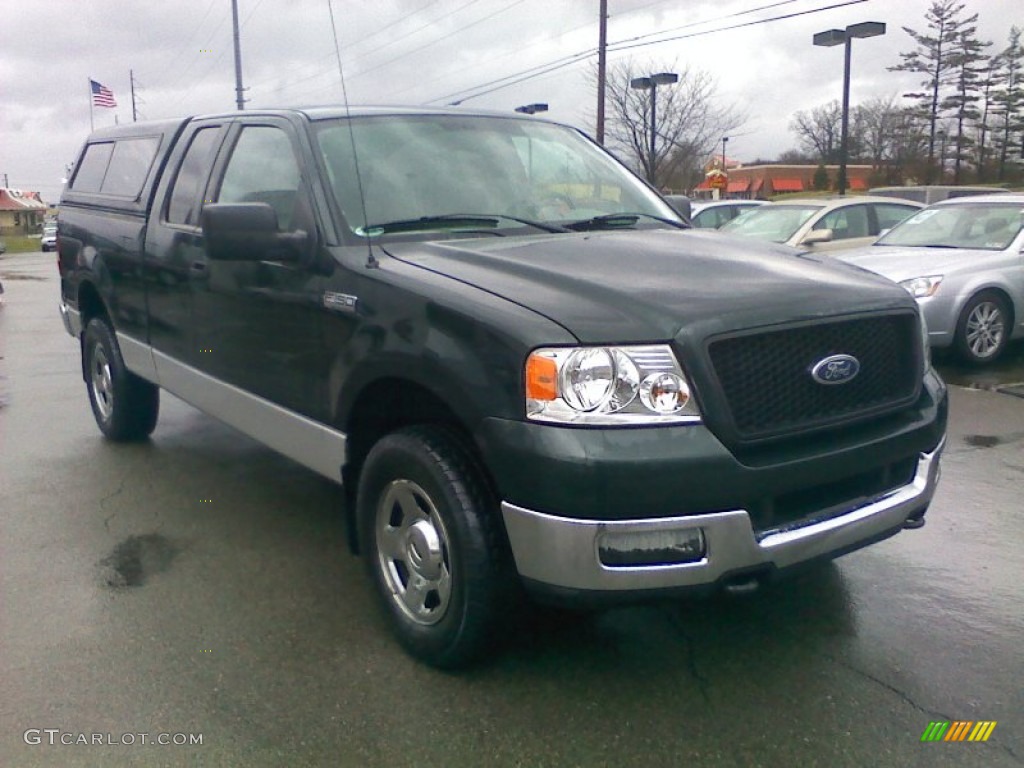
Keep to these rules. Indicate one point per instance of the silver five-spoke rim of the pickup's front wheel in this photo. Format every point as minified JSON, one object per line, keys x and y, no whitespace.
{"x":413,"y":552}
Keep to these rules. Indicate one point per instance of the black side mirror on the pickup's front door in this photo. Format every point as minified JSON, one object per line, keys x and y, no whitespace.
{"x":248,"y":232}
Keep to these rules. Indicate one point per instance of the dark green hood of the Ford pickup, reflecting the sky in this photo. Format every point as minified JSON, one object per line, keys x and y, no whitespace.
{"x":649,"y":285}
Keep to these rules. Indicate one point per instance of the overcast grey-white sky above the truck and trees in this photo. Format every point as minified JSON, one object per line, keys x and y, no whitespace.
{"x":429,"y":52}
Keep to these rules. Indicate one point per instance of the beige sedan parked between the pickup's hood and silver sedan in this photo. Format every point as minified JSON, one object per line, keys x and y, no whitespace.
{"x":823,"y":225}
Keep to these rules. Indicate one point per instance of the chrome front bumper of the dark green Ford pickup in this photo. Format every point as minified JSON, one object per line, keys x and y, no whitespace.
{"x":563,"y":552}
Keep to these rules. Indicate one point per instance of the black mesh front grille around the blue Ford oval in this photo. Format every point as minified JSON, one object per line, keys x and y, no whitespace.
{"x":765,"y":376}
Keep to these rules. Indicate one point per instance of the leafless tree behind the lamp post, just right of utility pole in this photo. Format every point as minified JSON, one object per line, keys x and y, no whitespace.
{"x":691,"y":121}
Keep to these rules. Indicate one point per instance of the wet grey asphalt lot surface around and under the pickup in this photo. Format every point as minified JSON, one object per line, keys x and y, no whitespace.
{"x":200,"y":584}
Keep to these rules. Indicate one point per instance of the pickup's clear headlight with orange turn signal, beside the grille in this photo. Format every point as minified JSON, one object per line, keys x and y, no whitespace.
{"x":620,"y":386}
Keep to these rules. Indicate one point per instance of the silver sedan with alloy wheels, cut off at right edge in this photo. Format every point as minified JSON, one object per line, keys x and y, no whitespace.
{"x":963,"y":261}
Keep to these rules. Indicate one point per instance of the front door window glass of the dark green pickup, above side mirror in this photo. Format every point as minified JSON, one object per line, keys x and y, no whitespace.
{"x":264,"y":169}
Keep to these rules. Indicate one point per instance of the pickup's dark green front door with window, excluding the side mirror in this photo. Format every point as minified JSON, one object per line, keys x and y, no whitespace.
{"x":258,"y":325}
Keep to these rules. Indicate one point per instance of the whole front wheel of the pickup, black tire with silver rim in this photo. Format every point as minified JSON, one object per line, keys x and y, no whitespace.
{"x":428,"y":518}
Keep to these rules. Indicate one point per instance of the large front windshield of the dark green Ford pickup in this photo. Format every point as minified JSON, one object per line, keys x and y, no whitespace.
{"x":434,"y":168}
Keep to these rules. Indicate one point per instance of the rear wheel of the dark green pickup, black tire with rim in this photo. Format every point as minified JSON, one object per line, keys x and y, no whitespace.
{"x":125,"y":407}
